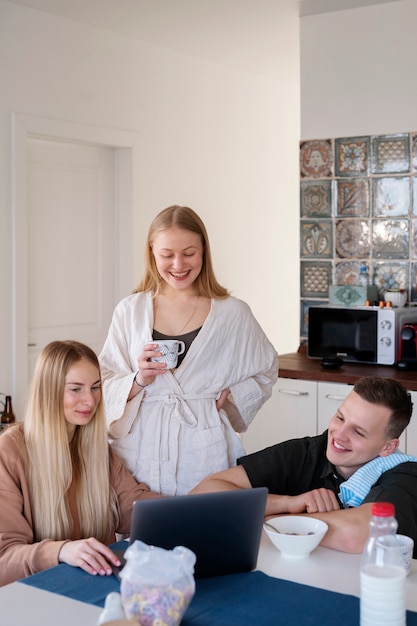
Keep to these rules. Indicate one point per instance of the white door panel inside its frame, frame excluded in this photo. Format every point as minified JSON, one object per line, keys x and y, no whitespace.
{"x":71,"y":243}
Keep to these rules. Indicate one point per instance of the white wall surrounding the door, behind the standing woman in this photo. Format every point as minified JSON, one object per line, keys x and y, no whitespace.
{"x":216,"y":138}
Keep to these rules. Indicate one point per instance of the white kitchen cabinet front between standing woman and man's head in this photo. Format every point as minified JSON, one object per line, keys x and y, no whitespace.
{"x":291,"y":412}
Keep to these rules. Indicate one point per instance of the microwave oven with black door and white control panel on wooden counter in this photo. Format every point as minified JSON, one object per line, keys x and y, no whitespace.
{"x":362,"y":334}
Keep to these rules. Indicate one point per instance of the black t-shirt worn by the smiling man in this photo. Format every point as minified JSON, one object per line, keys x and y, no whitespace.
{"x":300,"y":465}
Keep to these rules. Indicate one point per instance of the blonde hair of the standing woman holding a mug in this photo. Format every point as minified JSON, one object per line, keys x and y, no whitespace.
{"x":186,"y":219}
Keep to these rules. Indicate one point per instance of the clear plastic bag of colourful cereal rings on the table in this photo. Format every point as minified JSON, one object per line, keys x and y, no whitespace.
{"x":157,"y":584}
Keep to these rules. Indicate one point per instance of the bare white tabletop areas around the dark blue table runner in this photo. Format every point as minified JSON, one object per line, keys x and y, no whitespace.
{"x":21,"y":605}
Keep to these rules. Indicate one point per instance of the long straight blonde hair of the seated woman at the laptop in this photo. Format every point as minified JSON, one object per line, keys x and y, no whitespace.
{"x":54,"y":462}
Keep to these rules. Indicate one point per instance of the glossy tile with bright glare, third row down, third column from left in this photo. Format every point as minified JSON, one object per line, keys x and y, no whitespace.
{"x":390,"y":239}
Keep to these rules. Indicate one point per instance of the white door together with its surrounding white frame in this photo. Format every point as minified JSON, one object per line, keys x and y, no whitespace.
{"x":72,"y":207}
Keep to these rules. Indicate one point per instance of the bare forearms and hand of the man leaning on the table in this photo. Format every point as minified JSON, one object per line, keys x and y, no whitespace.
{"x":348,"y":528}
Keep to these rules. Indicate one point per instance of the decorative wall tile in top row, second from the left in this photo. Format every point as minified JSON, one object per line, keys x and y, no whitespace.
{"x":352,"y":156}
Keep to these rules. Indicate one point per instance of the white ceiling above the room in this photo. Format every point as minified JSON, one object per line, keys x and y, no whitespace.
{"x":250,"y":34}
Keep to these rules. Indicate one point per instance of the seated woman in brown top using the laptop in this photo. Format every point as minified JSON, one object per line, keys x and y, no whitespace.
{"x":64,"y":493}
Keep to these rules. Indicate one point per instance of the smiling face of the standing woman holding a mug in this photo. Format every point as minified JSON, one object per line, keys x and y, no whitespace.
{"x":178,"y":256}
